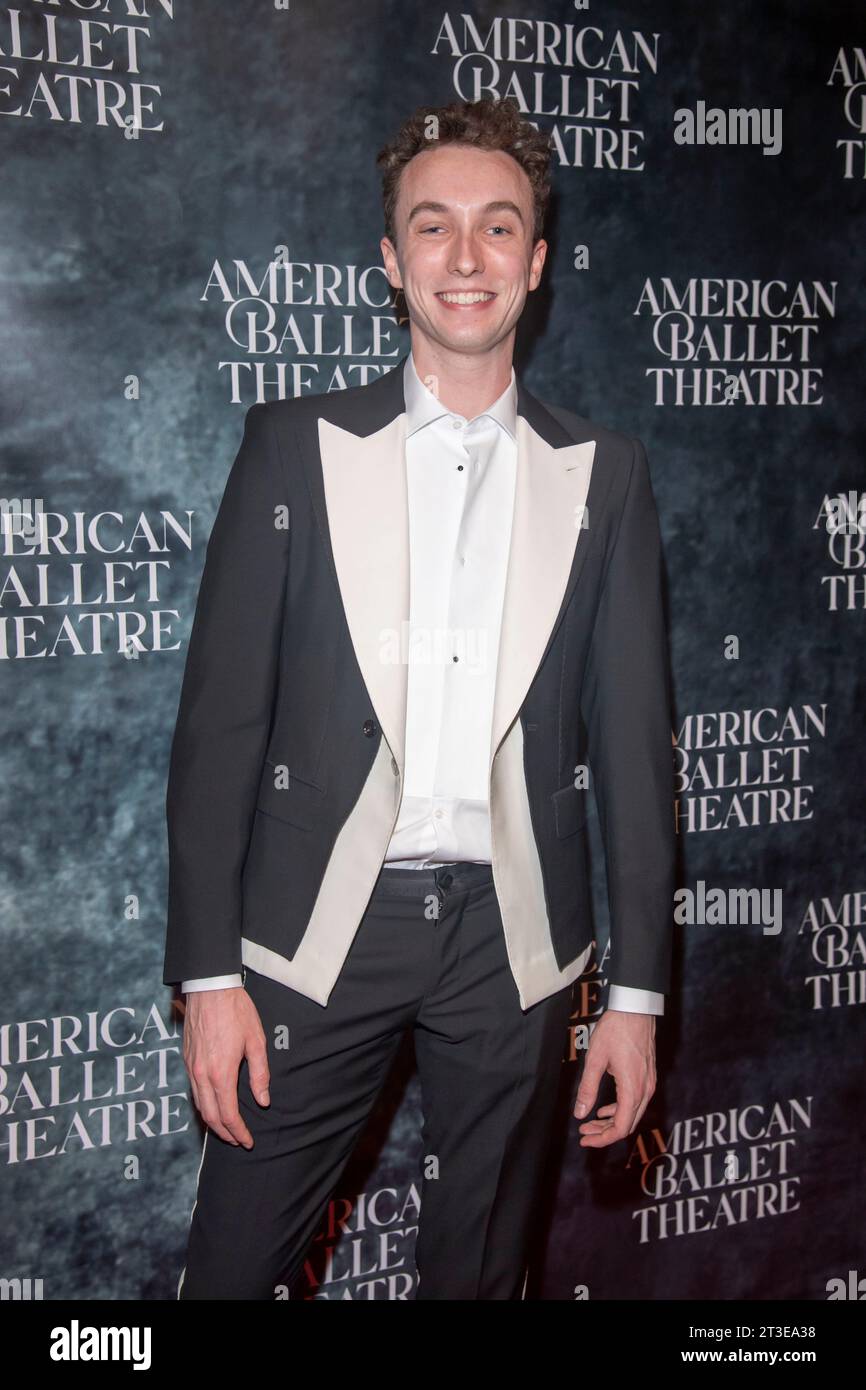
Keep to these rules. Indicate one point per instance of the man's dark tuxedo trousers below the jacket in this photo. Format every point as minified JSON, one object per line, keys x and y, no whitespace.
{"x":430,"y":954}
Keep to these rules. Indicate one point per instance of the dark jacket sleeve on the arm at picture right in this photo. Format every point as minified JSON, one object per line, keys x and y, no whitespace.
{"x":628,"y":712}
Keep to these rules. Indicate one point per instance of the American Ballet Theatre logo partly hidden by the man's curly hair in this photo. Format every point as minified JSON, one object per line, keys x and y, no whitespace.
{"x":582,"y":81}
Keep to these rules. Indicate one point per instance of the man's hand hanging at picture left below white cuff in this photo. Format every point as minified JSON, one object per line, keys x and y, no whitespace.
{"x":222,"y":1028}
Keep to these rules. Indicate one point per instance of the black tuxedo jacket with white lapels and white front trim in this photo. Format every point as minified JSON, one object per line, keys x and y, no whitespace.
{"x":304,"y":590}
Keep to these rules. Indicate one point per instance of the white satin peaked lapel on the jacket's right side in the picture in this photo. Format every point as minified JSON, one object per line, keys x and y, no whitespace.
{"x":550,"y":497}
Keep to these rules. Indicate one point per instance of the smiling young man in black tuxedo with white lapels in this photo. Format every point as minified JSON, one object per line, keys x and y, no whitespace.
{"x":429,"y":605}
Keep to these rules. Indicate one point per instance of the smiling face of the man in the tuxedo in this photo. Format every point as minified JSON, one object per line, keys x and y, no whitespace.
{"x":465,"y":227}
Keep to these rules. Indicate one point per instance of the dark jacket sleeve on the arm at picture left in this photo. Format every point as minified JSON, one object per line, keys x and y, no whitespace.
{"x":224,"y":714}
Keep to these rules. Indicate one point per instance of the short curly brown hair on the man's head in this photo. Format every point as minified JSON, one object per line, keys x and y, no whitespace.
{"x":490,"y":124}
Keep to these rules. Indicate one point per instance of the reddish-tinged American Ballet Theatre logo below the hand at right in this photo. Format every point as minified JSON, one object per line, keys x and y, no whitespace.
{"x":722,"y":1170}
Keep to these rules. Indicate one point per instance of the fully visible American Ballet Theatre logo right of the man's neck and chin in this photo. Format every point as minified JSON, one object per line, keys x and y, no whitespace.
{"x":736,"y":343}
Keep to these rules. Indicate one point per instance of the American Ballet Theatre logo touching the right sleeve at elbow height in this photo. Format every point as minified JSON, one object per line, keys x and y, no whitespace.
{"x":740,"y":769}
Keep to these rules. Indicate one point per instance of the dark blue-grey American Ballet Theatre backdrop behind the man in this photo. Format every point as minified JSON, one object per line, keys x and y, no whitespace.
{"x":191,"y":218}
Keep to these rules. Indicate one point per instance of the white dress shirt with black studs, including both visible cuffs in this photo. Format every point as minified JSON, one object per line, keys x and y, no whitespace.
{"x":461,"y":486}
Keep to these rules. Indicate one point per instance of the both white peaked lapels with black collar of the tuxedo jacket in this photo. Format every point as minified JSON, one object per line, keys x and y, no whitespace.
{"x":359,"y":490}
